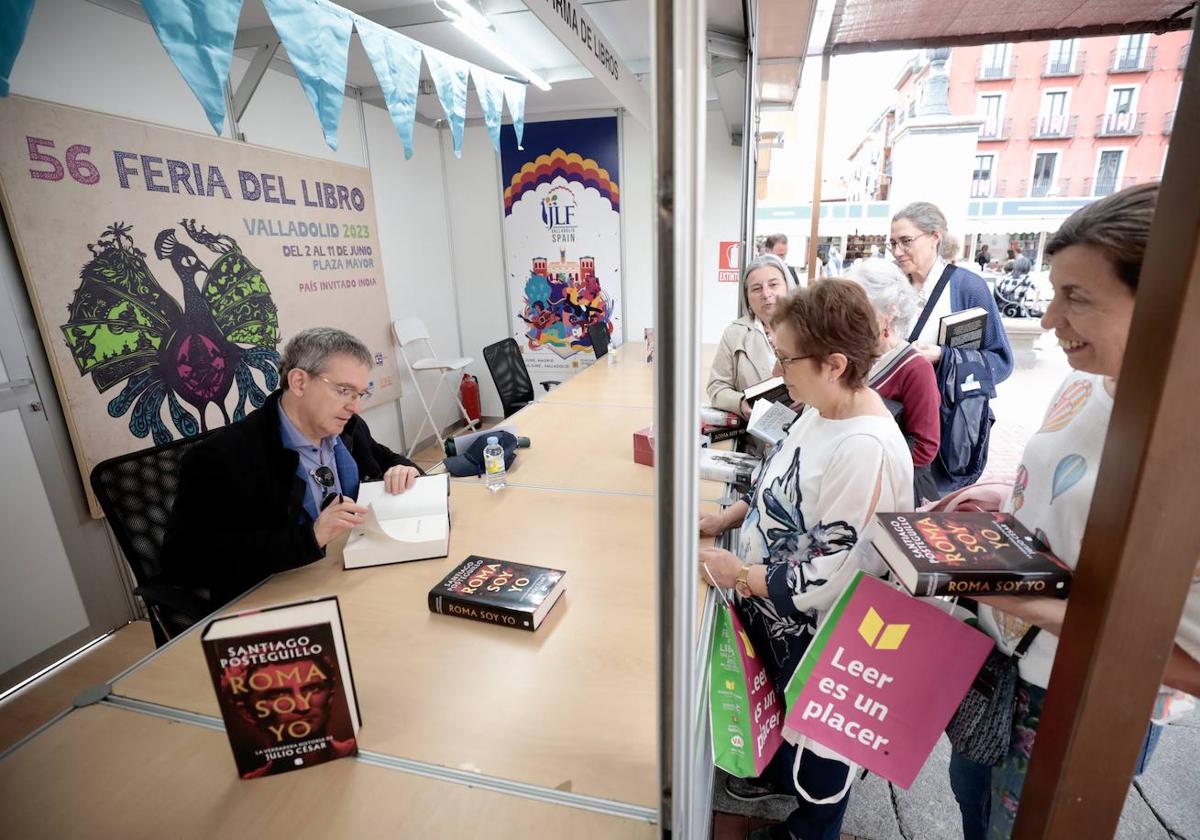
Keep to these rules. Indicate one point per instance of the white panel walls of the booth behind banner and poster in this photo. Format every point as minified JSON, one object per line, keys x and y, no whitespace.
{"x":449,"y":275}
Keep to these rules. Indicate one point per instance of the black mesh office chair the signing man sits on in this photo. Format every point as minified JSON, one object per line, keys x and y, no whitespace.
{"x":137,"y":493}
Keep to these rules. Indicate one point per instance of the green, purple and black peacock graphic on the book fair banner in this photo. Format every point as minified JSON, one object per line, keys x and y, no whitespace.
{"x":125,"y":328}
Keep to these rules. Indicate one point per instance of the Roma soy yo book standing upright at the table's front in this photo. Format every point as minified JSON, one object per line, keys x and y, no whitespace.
{"x":284,"y":683}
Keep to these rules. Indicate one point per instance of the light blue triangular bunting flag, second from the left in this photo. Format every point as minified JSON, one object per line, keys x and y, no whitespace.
{"x":199,"y":38}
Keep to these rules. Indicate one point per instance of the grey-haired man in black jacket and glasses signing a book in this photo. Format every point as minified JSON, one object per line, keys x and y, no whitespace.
{"x":269,"y":493}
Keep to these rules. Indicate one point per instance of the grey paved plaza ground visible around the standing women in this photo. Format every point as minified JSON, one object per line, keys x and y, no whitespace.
{"x":1163,"y":805}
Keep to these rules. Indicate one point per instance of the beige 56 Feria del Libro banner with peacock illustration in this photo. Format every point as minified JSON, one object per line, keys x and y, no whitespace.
{"x":167,"y":269}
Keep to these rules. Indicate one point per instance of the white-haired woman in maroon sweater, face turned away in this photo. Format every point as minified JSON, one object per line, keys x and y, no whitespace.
{"x":902,"y":375}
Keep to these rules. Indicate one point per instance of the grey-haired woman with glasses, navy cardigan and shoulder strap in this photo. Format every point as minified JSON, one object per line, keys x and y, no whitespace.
{"x":964,"y":376}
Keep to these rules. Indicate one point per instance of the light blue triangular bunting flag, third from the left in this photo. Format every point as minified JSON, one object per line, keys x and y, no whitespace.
{"x":317,"y":37}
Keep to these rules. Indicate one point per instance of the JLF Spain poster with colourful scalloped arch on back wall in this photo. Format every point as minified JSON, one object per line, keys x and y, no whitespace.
{"x":562,"y":241}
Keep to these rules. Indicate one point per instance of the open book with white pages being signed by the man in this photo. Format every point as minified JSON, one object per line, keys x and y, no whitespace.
{"x":411,"y":526}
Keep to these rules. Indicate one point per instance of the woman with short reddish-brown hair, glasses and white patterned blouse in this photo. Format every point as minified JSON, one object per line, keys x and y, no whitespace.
{"x":813,"y":499}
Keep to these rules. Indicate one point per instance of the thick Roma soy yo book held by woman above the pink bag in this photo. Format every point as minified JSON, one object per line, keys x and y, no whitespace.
{"x":969,"y":555}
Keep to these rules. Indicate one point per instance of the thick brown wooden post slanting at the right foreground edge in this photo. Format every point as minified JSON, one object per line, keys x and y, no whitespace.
{"x":1143,"y":537}
